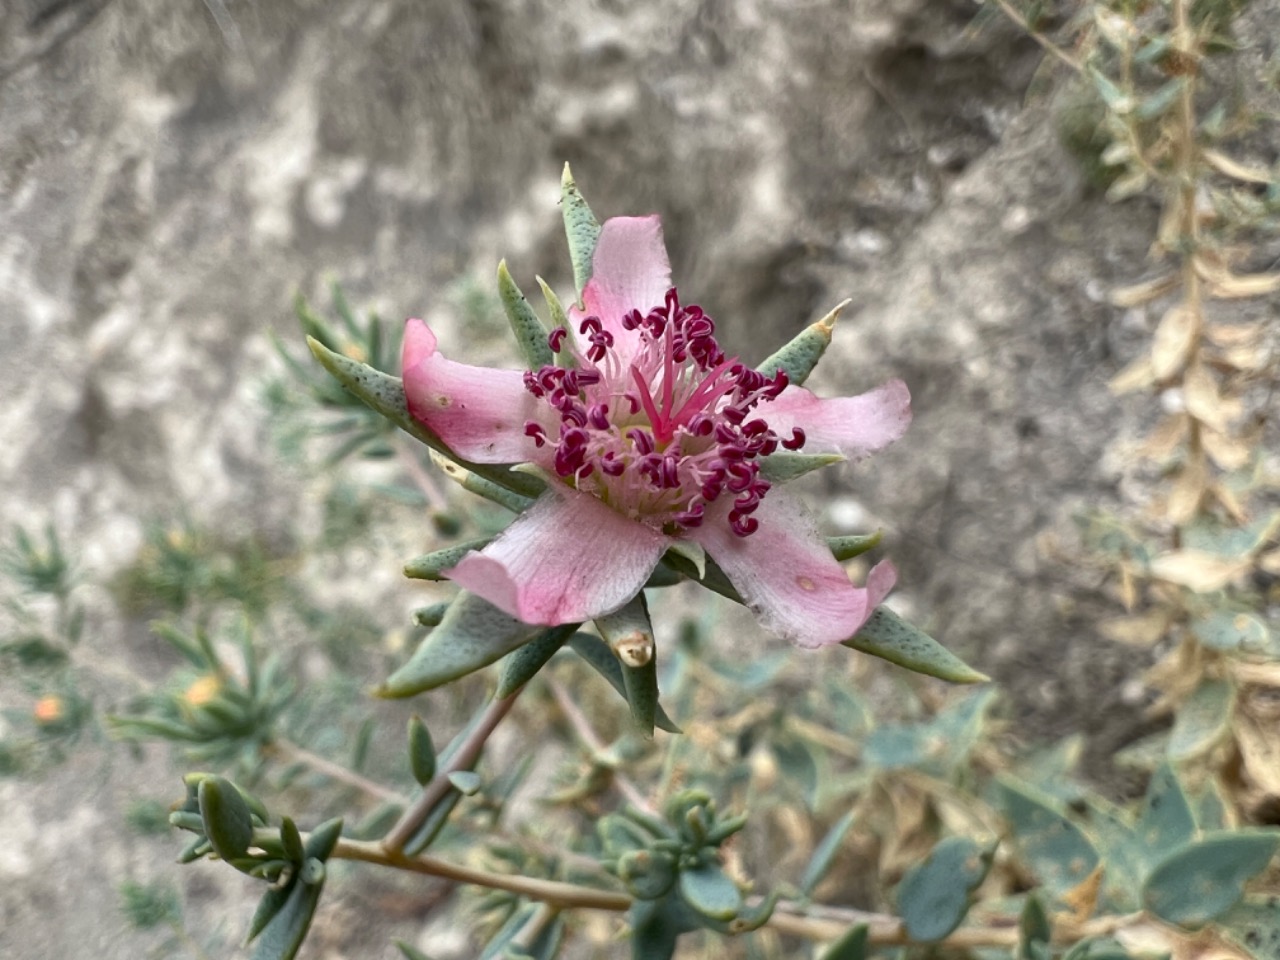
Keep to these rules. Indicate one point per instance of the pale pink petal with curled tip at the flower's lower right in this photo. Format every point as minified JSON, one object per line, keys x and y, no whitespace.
{"x":787,"y":574}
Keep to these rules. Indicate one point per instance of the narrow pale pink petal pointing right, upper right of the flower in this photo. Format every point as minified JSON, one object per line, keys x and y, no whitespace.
{"x":849,"y":426}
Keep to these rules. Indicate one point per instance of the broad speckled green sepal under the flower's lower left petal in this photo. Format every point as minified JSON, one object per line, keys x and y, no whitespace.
{"x":473,"y":636}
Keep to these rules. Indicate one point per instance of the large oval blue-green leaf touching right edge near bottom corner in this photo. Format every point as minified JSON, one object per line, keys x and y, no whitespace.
{"x":1201,"y":881}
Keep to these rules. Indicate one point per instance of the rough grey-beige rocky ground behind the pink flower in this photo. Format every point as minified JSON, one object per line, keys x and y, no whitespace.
{"x":172,"y":175}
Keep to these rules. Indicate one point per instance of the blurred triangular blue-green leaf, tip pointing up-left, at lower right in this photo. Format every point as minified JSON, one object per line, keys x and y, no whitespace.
{"x":1055,"y":851}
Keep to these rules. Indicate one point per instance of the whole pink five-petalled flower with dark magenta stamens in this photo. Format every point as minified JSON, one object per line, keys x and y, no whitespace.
{"x":655,"y":437}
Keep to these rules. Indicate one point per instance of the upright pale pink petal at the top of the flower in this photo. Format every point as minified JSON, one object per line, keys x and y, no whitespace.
{"x":629,"y":272}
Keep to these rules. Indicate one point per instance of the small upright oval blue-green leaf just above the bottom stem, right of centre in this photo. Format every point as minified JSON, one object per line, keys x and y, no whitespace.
{"x":935,"y":895}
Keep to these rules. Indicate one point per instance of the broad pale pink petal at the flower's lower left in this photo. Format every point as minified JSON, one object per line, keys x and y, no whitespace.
{"x":568,"y":559}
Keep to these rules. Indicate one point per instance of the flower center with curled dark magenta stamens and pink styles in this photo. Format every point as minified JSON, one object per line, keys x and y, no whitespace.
{"x":662,"y":435}
